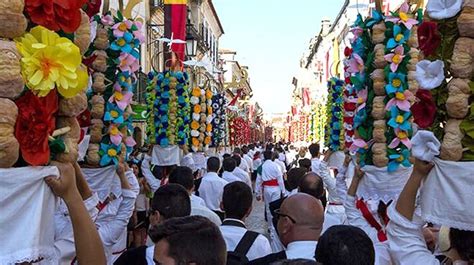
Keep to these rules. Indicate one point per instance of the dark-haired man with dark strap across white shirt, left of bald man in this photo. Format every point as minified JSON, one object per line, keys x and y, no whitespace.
{"x":237,"y":204}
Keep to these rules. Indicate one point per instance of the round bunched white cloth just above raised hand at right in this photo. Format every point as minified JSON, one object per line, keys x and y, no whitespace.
{"x":425,"y":146}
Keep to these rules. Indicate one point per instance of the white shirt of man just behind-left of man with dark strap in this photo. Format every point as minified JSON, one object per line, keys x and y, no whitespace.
{"x":211,"y":189}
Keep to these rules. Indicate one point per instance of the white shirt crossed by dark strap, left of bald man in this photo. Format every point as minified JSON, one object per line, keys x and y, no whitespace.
{"x":233,"y":234}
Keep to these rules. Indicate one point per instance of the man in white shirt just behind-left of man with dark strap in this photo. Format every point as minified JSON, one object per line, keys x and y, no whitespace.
{"x":212,"y":187}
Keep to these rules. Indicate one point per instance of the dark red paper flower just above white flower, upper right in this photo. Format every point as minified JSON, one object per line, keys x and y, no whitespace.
{"x":429,"y":38}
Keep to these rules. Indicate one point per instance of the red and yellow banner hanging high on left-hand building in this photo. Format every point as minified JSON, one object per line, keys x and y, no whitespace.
{"x":176,"y":14}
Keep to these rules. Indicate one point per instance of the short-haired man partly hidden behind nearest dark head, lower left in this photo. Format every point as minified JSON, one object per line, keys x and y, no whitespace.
{"x":169,"y":201}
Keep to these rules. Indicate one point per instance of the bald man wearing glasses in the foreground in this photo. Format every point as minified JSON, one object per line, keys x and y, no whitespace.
{"x":300,"y":221}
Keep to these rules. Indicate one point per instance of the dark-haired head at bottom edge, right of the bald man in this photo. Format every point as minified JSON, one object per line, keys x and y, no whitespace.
{"x":345,"y":245}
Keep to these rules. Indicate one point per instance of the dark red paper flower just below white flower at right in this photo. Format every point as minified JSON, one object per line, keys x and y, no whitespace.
{"x":424,"y":110}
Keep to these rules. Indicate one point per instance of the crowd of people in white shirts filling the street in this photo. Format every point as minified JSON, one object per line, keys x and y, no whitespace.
{"x":187,"y":214}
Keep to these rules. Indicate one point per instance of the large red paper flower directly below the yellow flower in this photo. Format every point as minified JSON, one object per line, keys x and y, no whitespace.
{"x":34,"y":124}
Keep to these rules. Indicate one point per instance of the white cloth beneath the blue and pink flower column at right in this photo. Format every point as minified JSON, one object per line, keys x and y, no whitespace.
{"x":379,"y":184}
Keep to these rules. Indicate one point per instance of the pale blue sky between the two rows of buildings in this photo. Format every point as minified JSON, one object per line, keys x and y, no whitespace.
{"x":270,"y":37}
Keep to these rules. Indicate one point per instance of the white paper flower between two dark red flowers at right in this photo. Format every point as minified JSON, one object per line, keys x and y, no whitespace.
{"x":430,"y":74}
